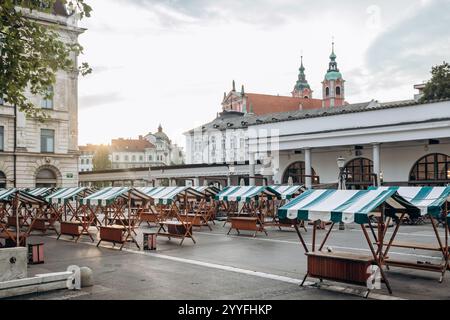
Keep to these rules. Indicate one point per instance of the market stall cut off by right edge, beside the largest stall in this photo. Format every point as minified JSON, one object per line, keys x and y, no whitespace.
{"x":431,"y":202}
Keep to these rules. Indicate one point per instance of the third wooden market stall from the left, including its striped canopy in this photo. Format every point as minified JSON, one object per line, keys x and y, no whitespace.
{"x":119,"y":207}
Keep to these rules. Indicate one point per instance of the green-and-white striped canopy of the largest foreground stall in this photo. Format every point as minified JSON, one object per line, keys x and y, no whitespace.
{"x":346,"y":206}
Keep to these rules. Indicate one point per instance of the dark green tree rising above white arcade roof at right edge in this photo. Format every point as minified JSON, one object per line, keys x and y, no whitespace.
{"x":439,"y":85}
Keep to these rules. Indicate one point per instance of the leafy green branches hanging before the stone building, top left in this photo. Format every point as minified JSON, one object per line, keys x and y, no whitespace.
{"x":31,"y":52}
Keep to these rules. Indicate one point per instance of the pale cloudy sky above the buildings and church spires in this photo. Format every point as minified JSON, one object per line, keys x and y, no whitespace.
{"x":169,"y":62}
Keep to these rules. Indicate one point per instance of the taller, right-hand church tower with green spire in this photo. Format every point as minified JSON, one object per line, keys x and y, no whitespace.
{"x":333,"y":85}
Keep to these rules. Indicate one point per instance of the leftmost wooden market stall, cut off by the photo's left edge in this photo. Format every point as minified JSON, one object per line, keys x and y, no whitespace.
{"x":13,"y":215}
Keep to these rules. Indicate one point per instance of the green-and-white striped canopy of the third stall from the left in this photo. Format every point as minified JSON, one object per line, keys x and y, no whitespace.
{"x":108,"y":196}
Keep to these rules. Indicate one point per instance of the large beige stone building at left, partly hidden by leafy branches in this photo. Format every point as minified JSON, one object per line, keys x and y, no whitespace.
{"x":34,"y":153}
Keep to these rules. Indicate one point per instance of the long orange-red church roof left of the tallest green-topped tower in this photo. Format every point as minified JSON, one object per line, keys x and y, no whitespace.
{"x":263,"y":103}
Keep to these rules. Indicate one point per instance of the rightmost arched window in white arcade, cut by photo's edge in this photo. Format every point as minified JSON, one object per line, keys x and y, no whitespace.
{"x":432,"y":169}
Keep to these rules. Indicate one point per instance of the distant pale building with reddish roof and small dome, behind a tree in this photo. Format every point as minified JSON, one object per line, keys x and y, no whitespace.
{"x":155,"y":149}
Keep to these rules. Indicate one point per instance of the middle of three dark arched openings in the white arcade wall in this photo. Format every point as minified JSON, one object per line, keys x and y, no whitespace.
{"x":359,"y":173}
